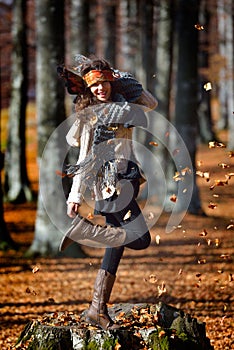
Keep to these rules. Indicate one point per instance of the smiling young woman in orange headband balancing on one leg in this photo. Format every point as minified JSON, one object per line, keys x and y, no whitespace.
{"x":106,"y":156}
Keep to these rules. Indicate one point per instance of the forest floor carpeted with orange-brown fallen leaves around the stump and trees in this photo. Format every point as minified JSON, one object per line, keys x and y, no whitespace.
{"x":194,"y":262}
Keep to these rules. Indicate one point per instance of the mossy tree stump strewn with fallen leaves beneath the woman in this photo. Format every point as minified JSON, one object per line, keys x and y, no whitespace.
{"x":143,"y":326}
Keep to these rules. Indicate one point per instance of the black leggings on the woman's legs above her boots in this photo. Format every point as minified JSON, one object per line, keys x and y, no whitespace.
{"x":138,"y":236}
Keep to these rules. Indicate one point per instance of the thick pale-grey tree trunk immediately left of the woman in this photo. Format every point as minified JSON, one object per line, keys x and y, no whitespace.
{"x":51,"y":220}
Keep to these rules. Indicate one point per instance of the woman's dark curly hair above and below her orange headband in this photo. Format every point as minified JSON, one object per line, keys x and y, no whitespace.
{"x":87,"y":98}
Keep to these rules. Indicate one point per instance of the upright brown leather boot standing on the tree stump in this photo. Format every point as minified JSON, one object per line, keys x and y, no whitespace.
{"x":97,"y":313}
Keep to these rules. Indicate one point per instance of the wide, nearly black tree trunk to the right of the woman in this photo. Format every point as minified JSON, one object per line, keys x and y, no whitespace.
{"x":186,"y":119}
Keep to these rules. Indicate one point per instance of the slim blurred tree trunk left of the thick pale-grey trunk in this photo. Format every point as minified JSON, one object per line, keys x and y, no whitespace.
{"x":17,"y":188}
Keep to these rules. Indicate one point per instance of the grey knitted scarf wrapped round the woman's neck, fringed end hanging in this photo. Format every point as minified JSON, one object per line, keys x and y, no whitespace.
{"x":103,"y":119}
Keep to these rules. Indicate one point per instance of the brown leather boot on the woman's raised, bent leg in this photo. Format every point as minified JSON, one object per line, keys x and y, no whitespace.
{"x":82,"y":229}
